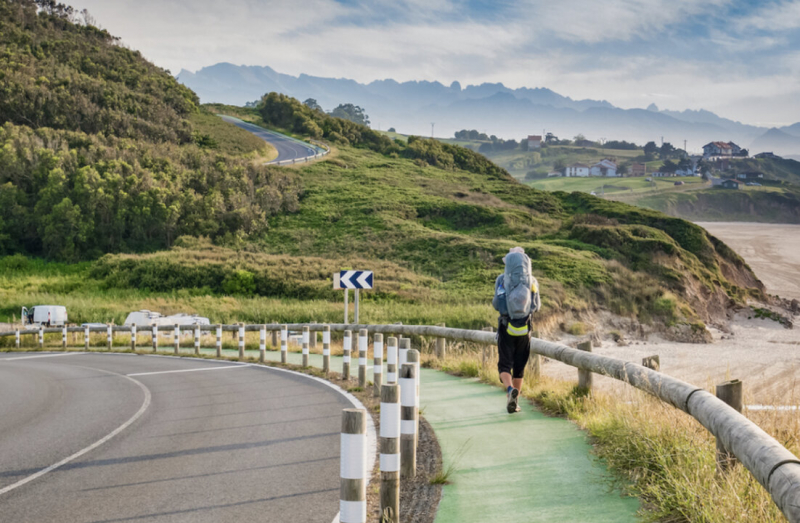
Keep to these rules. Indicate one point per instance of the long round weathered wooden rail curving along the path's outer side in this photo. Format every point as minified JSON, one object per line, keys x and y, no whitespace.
{"x":773,"y":466}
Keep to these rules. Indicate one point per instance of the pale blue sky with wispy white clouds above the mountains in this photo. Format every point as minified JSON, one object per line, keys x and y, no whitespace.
{"x":740,"y":59}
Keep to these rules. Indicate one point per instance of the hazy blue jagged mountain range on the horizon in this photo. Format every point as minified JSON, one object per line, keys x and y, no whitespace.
{"x":411,"y":107}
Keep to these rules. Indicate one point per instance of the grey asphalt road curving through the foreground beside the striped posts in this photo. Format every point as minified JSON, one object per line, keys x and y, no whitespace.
{"x":237,"y":443}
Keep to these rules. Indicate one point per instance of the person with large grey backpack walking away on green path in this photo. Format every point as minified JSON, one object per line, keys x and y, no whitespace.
{"x":516,"y":298}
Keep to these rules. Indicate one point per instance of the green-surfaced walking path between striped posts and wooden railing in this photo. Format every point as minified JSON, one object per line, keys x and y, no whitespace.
{"x":524,"y":467}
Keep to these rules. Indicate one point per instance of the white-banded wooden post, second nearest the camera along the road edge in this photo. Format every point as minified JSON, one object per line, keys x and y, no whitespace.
{"x":390,"y":453}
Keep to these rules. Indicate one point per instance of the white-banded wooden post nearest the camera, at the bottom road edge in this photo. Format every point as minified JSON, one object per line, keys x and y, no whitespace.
{"x":353,"y":467}
